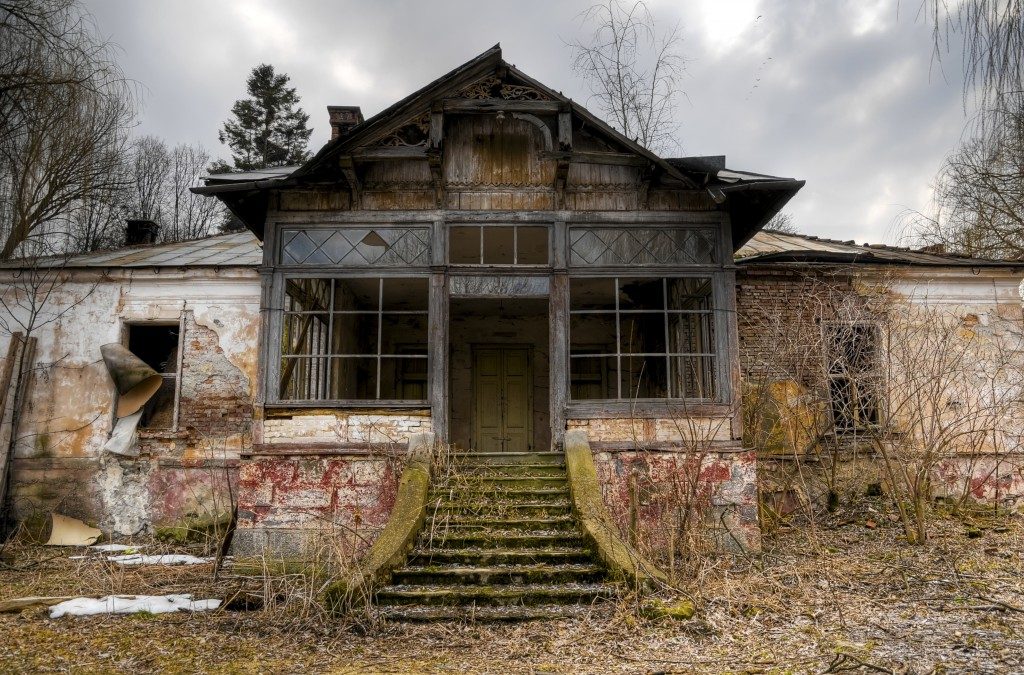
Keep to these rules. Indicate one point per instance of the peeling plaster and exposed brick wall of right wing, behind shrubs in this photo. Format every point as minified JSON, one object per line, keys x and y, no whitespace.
{"x":988,"y":305}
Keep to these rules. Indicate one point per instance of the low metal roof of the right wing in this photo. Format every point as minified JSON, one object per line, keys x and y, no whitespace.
{"x":770,"y":246}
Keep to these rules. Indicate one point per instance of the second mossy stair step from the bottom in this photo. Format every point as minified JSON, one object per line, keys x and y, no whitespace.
{"x":495,"y":596}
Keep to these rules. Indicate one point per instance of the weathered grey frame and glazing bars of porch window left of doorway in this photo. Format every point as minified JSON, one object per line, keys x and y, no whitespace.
{"x":276,"y":327}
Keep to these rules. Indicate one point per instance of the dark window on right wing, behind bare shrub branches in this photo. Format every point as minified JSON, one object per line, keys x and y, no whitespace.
{"x":851,"y":354}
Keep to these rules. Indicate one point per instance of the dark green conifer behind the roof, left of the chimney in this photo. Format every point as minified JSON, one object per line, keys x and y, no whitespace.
{"x":269,"y":129}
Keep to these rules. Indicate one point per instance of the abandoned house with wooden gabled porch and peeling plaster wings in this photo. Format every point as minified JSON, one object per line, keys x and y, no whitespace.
{"x":488,"y":262}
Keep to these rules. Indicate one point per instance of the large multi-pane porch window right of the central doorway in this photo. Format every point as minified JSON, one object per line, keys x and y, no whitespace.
{"x":642,"y":339}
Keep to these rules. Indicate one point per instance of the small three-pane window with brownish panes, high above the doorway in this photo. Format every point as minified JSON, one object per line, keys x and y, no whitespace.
{"x":498,"y":245}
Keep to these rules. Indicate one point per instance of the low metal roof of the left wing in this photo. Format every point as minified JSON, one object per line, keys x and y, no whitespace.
{"x":235,"y":250}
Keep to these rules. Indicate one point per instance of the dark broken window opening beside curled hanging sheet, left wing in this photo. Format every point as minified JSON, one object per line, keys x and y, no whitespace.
{"x":157,"y":345}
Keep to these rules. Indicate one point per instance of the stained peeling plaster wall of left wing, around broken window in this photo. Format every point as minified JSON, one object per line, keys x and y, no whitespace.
{"x":68,"y":414}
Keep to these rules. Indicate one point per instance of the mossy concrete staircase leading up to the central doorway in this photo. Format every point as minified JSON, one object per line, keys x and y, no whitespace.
{"x":500,"y":544}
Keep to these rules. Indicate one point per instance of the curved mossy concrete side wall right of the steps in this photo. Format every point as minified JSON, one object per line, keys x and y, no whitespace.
{"x":623,"y":561}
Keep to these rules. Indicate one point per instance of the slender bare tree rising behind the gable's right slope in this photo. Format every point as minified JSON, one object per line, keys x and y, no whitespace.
{"x":633,"y":71}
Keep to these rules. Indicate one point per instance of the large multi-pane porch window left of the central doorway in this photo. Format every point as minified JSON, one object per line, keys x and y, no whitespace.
{"x":355,"y":340}
